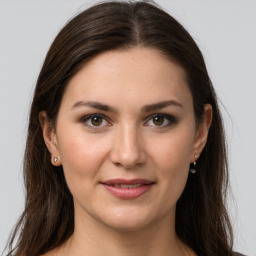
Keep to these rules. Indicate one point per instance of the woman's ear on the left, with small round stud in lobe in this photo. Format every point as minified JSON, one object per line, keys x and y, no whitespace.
{"x":50,"y":138}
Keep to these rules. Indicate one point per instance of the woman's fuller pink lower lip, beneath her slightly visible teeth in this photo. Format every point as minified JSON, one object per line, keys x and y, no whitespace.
{"x":128,"y":193}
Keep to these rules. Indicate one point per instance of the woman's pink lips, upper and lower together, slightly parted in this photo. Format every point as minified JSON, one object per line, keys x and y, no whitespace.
{"x":127,"y":193}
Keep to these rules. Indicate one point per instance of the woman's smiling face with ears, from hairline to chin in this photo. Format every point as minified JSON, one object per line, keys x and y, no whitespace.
{"x":125,"y":136}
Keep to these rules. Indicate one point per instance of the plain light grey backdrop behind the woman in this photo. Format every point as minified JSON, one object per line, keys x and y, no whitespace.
{"x":225,"y":30}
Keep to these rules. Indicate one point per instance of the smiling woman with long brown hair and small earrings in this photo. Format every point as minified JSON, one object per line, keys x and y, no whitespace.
{"x":125,"y":152}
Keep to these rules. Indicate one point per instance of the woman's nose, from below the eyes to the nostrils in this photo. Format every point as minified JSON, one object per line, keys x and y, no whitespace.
{"x":128,"y":150}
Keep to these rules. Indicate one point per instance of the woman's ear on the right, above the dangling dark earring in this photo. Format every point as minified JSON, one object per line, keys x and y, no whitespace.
{"x":202,"y":133}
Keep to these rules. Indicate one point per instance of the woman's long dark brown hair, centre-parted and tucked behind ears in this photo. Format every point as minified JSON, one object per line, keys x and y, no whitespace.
{"x":48,"y":219}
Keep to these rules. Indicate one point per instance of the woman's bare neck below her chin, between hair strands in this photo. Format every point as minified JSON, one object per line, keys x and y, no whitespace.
{"x":94,"y":238}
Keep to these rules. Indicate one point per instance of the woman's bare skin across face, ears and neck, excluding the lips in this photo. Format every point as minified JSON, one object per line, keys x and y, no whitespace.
{"x":127,"y":144}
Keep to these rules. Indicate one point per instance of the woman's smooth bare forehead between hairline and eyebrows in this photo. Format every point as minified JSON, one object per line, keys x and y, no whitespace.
{"x":132,"y":77}
